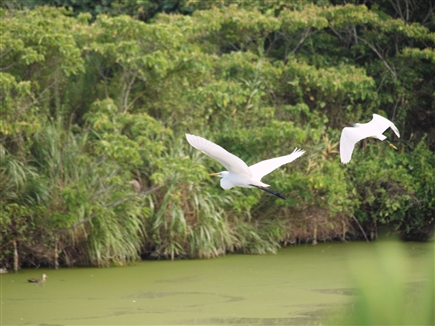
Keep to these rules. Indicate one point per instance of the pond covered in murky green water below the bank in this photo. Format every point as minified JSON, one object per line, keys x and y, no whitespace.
{"x":298,"y":285}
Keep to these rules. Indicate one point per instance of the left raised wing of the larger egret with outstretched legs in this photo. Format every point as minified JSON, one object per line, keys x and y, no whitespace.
{"x":231,"y":162}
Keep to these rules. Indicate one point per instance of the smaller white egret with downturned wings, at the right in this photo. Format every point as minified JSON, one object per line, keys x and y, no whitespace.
{"x":351,"y":135}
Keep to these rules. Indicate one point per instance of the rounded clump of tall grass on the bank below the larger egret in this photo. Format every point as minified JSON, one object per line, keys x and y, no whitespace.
{"x":189,"y":221}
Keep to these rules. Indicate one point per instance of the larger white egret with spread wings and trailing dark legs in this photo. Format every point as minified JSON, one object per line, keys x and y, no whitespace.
{"x":239,"y":174}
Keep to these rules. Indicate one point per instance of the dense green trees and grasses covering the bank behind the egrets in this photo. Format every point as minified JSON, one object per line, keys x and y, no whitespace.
{"x":91,"y":103}
